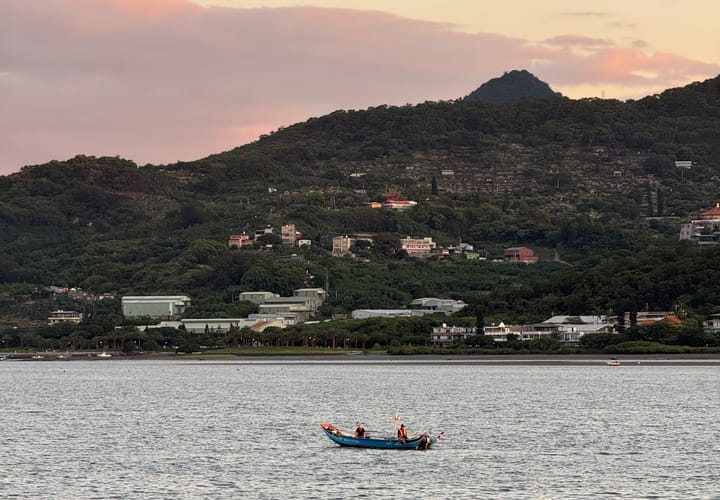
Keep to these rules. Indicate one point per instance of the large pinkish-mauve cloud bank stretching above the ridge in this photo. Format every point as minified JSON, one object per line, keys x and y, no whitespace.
{"x":166,"y":80}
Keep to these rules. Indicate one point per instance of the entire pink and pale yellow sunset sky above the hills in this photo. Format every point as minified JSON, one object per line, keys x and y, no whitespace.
{"x":160,"y":81}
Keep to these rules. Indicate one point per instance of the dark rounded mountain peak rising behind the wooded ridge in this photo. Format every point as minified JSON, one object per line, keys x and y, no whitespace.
{"x":513,"y":86}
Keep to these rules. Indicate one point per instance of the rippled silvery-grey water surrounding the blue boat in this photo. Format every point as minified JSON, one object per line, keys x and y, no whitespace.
{"x":178,"y":429}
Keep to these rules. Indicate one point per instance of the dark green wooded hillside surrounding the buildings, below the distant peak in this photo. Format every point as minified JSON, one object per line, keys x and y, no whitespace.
{"x":591,"y":185}
